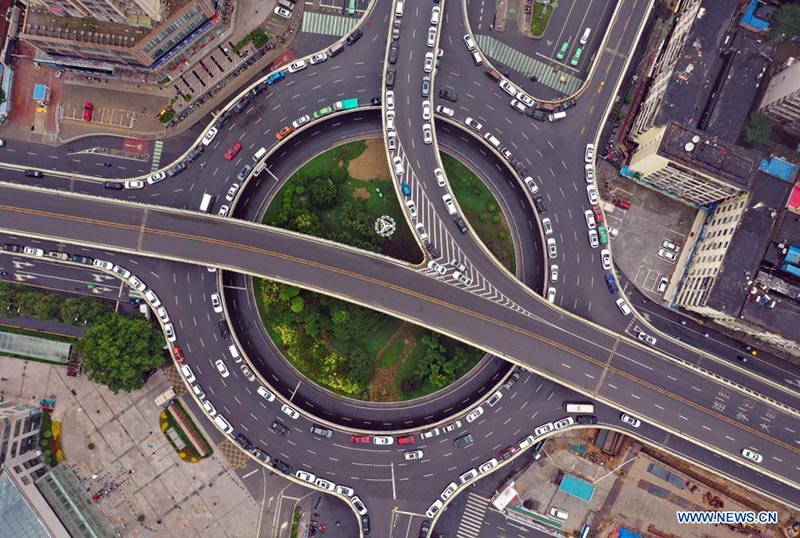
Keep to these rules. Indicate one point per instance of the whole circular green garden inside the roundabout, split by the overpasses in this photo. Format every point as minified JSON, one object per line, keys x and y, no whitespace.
{"x":351,"y":350}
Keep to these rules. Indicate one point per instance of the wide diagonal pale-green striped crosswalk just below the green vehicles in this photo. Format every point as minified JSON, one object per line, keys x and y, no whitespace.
{"x":545,"y":73}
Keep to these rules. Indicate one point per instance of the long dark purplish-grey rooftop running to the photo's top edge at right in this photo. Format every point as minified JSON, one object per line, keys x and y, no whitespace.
{"x":695,"y":72}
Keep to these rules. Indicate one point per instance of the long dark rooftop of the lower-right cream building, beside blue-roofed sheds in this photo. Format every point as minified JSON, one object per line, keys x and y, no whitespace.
{"x":749,"y":246}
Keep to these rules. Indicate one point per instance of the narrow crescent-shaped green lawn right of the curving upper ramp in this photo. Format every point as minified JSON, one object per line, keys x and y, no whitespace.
{"x":476,"y":200}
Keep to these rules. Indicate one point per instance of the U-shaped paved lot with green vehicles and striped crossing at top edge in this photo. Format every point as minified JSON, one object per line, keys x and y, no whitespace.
{"x":548,"y":66}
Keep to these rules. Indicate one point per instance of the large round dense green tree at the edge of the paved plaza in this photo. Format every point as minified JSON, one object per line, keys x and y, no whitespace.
{"x":118,"y":350}
